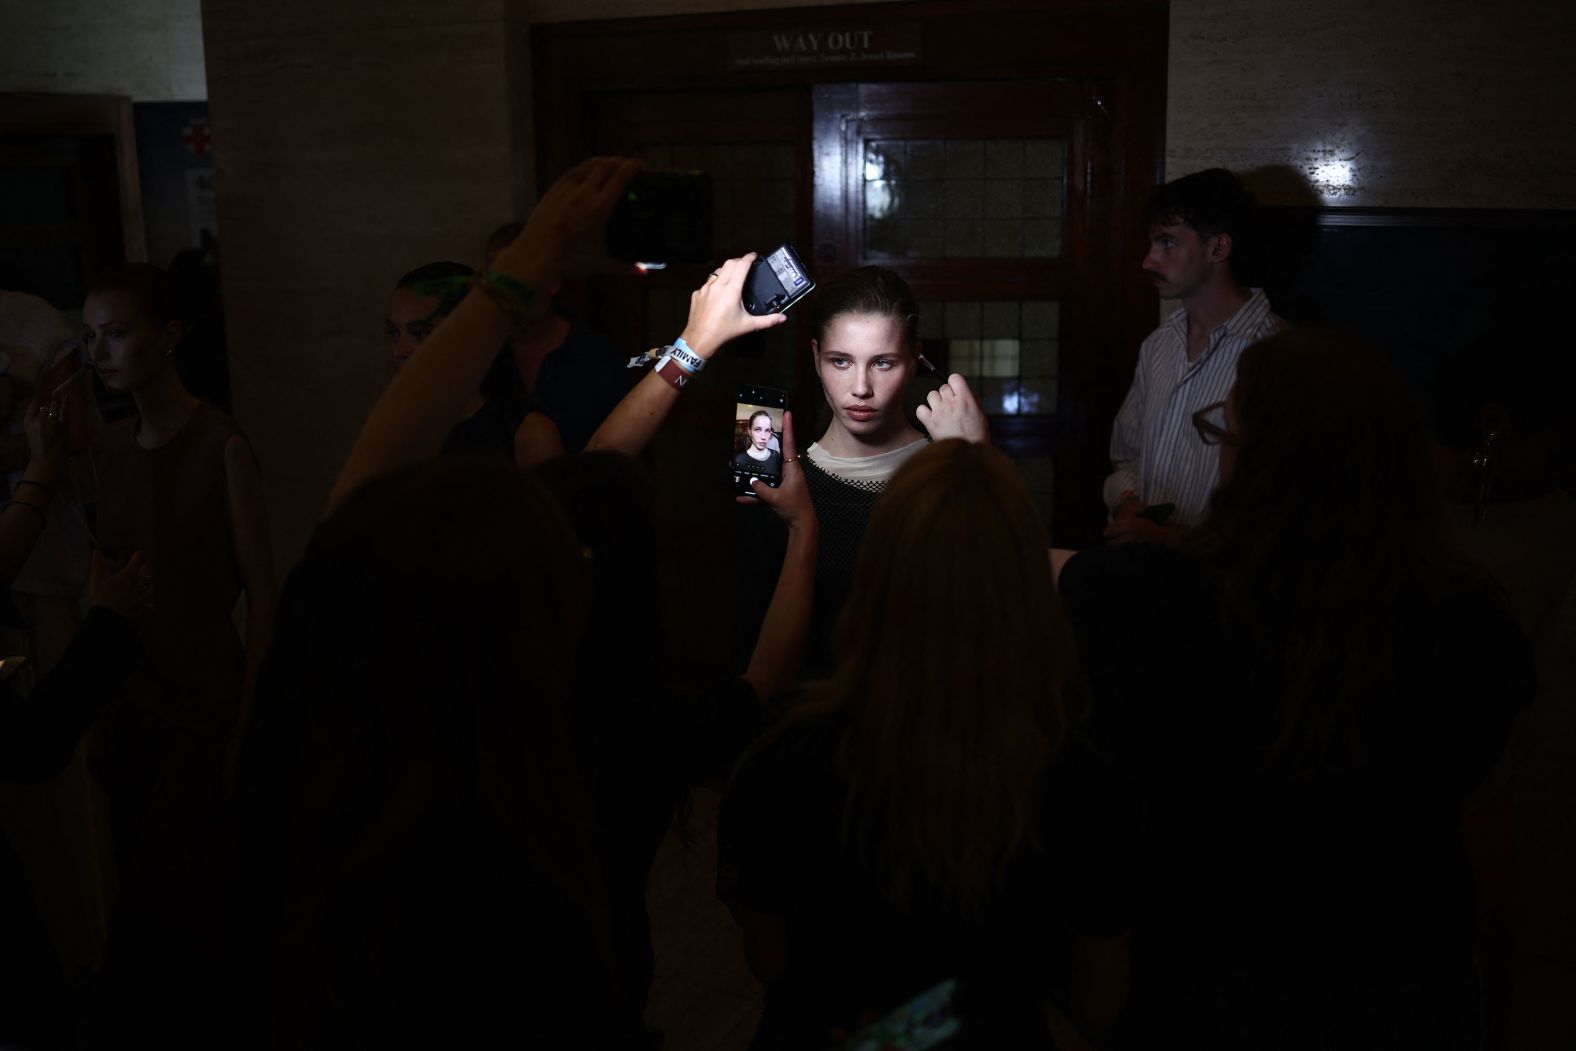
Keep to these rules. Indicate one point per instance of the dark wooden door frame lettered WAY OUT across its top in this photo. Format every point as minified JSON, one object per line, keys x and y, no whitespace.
{"x":1118,"y":45}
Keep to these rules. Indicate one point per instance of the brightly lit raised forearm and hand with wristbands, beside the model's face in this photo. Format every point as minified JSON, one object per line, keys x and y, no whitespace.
{"x":716,"y":318}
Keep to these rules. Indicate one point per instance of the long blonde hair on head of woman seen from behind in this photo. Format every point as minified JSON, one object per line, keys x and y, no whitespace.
{"x":953,"y":647}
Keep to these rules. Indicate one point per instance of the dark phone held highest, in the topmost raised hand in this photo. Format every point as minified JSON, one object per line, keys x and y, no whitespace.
{"x":663,"y":218}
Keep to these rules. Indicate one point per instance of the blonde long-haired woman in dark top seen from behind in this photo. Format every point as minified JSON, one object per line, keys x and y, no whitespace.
{"x":927,"y":814}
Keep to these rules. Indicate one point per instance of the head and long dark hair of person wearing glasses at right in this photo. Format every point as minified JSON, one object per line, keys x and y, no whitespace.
{"x":1328,"y":535}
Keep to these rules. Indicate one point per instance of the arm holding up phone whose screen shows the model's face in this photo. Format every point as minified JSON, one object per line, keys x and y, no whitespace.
{"x":781,"y":644}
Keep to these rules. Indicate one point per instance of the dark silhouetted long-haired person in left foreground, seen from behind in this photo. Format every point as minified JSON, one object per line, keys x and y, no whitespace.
{"x":411,"y":771}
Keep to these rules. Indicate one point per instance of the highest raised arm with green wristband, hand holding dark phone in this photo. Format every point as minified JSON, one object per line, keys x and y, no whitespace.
{"x":437,"y":385}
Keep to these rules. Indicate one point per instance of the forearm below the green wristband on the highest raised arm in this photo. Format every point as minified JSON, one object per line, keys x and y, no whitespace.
{"x":431,"y":393}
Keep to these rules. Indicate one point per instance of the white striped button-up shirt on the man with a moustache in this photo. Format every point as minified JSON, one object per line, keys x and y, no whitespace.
{"x":1154,"y":450}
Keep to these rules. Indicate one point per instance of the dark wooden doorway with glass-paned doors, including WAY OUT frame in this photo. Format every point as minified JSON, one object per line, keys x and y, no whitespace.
{"x":997,"y":155}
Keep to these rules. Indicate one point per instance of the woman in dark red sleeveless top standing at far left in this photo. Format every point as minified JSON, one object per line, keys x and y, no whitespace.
{"x":180,"y":485}
